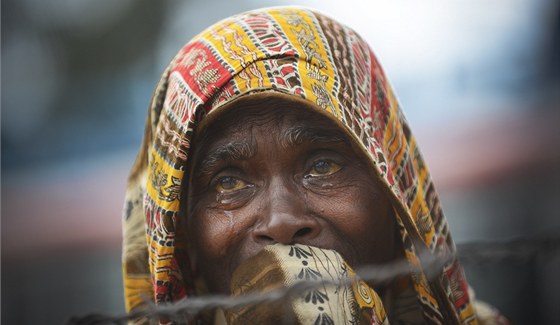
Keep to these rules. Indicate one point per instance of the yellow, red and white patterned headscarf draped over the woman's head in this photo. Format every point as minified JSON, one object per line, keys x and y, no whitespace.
{"x":300,"y":53}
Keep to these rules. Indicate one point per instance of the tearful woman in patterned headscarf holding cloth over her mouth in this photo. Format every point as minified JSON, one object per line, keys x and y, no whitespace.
{"x":275,"y":151}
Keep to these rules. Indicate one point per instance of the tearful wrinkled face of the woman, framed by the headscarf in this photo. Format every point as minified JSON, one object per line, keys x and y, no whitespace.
{"x":276,"y":172}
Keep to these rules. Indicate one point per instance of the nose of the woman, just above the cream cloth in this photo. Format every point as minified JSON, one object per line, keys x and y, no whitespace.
{"x":285,"y":218}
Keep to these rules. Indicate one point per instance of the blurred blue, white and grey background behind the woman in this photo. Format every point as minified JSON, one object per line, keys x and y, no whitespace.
{"x":479,"y":82}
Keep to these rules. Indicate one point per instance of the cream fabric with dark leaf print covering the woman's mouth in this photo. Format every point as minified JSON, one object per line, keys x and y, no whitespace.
{"x":339,"y":297}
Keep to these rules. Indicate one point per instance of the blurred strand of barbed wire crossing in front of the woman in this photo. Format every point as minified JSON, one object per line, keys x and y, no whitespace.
{"x":518,"y":250}
